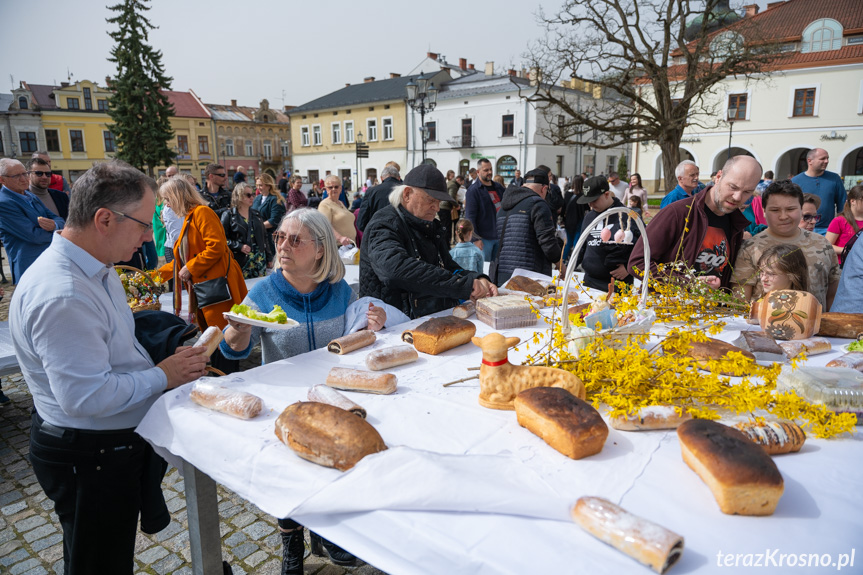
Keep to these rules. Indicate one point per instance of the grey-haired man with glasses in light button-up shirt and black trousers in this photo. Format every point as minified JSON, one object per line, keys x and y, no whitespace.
{"x":91,"y":380}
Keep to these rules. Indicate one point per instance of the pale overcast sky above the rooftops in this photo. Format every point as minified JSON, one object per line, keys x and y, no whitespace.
{"x":253,"y":49}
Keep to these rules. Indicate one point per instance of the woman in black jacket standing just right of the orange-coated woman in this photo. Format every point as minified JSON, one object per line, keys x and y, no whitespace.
{"x":245,"y":232}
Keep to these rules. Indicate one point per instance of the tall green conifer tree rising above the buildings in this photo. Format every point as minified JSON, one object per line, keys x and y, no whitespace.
{"x":141,"y":112}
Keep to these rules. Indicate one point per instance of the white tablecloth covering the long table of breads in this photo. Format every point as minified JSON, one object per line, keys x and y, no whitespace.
{"x":464,"y":489}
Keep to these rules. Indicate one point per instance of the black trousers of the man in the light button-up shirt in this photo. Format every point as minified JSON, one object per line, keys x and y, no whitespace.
{"x":99,"y":483}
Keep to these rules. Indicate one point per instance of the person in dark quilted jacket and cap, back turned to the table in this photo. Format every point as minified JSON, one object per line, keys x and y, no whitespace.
{"x":525,"y":227}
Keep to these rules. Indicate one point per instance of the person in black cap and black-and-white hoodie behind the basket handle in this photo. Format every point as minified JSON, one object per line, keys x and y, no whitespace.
{"x":604,"y":261}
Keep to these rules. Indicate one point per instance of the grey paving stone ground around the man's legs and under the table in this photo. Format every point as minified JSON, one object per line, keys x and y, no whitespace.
{"x":31,"y":540}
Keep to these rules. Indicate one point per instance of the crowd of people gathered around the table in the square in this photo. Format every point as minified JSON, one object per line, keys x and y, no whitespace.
{"x":425,"y":240}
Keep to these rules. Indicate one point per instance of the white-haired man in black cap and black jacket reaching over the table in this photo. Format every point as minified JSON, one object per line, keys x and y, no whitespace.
{"x":405,"y":259}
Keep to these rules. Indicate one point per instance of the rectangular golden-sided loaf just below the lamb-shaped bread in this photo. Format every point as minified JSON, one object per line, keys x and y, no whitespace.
{"x":568,"y":424}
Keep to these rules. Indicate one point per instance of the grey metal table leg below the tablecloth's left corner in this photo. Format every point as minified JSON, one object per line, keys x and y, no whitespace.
{"x":203,"y":517}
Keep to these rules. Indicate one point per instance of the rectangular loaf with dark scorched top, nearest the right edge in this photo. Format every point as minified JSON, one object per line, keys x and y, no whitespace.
{"x":743,"y":478}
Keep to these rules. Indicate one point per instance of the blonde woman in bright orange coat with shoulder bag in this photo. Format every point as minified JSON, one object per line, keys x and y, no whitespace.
{"x":202,"y":251}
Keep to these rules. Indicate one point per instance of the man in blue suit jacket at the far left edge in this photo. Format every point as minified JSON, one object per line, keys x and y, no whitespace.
{"x":26,"y":225}
